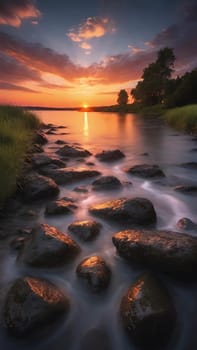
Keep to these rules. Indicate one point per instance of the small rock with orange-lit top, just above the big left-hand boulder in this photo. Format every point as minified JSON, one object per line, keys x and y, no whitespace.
{"x":60,"y":207}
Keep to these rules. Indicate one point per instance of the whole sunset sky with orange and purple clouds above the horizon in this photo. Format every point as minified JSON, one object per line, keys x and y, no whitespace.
{"x":70,"y":53}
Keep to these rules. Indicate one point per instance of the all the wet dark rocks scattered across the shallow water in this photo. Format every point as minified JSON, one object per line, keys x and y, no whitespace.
{"x":147,"y":311}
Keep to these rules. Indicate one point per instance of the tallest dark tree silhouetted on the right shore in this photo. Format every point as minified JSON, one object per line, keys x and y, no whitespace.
{"x":152,"y":88}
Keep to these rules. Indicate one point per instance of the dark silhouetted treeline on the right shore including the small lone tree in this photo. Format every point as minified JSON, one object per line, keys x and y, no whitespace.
{"x":158,"y":87}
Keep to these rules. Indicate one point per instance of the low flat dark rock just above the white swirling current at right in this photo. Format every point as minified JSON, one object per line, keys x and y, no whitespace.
{"x":146,"y":171}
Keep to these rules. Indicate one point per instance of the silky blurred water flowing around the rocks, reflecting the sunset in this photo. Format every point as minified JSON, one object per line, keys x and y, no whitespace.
{"x":143,"y":140}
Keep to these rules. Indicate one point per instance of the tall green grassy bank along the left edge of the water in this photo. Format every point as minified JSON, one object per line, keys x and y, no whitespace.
{"x":16,"y":133}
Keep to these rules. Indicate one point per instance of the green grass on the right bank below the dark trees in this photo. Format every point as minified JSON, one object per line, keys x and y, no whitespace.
{"x":183,"y":118}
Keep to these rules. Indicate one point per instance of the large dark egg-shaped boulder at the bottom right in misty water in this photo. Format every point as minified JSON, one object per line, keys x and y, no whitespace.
{"x":147,"y":313}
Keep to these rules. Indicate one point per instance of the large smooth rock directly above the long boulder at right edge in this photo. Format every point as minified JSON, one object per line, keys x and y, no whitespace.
{"x":131,"y":211}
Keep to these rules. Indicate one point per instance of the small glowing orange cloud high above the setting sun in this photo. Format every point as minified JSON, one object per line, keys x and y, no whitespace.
{"x":93,"y":27}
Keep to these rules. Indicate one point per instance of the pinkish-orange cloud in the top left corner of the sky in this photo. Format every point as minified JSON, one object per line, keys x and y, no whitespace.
{"x":13,"y":12}
